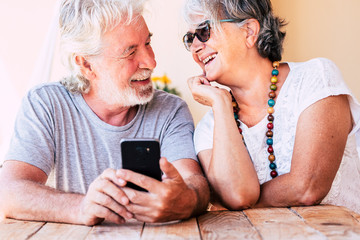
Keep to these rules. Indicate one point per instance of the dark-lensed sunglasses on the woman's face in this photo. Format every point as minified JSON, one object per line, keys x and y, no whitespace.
{"x":202,"y":32}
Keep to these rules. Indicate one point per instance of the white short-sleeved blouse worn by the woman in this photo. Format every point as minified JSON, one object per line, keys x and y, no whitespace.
{"x":307,"y":83}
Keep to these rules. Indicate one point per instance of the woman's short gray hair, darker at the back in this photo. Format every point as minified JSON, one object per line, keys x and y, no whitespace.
{"x":270,"y":38}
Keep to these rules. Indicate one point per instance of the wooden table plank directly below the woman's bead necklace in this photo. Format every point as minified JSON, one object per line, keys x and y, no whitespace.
{"x":280,"y":223}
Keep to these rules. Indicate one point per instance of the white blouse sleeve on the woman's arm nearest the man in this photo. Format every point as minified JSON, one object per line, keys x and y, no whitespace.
{"x":203,"y":137}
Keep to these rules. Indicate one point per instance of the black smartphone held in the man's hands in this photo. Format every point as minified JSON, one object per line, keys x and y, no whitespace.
{"x":141,"y":156}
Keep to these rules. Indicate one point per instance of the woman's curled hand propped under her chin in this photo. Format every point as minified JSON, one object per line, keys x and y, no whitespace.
{"x":204,"y":93}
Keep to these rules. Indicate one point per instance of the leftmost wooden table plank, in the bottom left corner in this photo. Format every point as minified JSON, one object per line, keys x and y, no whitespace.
{"x":15,"y":229}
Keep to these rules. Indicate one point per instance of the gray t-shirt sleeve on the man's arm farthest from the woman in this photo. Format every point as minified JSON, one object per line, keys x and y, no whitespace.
{"x":32,"y":141}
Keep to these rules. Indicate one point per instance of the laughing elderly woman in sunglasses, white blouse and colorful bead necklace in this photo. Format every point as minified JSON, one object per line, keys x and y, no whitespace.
{"x":285,"y":133}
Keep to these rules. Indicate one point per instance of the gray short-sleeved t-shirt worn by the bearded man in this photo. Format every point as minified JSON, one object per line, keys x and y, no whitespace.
{"x":58,"y":132}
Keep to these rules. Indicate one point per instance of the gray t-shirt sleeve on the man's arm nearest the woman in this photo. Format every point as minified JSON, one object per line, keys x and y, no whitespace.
{"x":177,"y":142}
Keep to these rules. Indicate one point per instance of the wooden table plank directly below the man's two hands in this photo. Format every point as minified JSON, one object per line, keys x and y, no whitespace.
{"x":129,"y":230}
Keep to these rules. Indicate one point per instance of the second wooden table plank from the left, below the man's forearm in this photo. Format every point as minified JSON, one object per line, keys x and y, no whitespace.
{"x":62,"y":231}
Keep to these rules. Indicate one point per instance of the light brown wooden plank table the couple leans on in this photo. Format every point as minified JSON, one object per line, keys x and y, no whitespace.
{"x":318,"y":222}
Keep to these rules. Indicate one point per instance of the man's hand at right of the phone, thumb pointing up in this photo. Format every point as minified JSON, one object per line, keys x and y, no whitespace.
{"x":171,"y":199}
